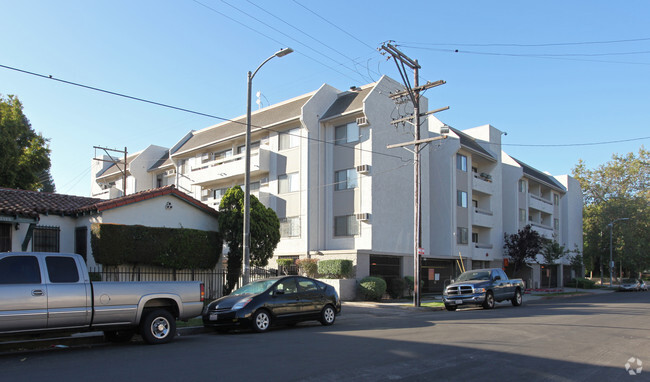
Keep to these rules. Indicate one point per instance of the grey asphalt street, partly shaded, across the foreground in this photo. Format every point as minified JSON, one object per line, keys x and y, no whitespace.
{"x":586,"y":338}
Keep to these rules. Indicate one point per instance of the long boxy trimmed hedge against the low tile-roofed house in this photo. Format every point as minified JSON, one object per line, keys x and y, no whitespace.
{"x":174,"y":248}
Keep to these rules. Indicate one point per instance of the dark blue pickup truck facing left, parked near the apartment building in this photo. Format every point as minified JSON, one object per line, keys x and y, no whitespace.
{"x":483,"y":287}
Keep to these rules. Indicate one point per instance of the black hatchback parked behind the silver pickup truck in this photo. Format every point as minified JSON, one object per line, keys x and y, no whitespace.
{"x":284,"y":299}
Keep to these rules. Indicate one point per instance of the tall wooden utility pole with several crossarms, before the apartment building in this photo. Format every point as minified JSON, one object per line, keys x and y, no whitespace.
{"x":412,"y":93}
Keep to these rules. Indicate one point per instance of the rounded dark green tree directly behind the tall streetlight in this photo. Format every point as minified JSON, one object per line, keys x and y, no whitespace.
{"x":264,"y":232}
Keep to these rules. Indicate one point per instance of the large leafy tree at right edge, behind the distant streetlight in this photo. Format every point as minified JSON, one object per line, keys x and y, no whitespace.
{"x":614,"y":190}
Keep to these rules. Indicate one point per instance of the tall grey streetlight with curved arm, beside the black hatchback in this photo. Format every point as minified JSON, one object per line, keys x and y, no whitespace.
{"x":247,"y":176}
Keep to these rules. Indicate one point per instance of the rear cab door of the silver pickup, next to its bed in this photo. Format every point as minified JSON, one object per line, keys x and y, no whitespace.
{"x":68,"y":294}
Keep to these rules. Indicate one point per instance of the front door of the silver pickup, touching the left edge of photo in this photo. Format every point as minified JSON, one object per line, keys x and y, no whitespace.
{"x":23,"y":305}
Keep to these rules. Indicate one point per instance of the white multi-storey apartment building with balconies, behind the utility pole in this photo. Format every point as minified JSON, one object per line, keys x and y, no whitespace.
{"x":320,"y":161}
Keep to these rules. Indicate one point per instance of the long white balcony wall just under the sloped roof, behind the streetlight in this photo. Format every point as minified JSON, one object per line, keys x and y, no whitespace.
{"x":230,"y":167}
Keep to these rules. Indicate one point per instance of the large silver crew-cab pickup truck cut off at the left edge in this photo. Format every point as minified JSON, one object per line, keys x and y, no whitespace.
{"x":48,"y":292}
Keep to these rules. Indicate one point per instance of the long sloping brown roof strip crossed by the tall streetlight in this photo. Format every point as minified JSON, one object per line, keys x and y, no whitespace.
{"x":271,"y":115}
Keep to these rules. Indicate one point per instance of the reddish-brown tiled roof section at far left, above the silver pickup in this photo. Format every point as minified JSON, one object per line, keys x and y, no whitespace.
{"x":32,"y":204}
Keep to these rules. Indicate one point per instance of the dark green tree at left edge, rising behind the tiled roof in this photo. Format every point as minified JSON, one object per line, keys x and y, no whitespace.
{"x":24,"y":154}
